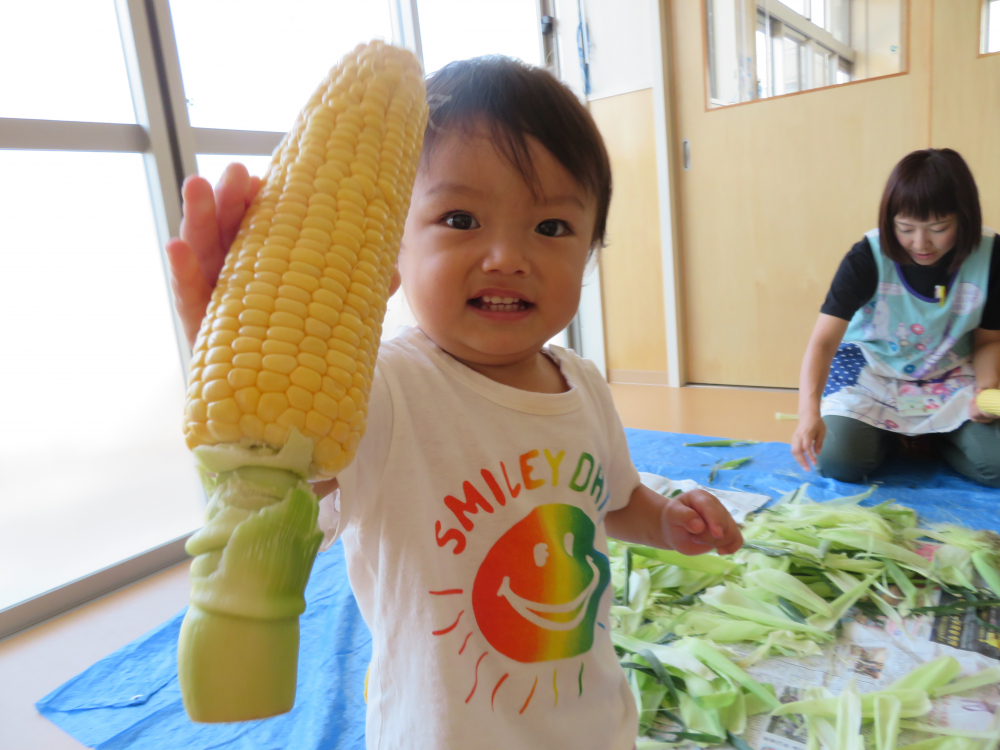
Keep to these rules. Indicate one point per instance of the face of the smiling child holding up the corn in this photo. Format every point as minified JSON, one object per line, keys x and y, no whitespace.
{"x":490,"y":270}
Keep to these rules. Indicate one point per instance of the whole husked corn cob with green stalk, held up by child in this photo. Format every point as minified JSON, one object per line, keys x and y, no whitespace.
{"x":281,"y":372}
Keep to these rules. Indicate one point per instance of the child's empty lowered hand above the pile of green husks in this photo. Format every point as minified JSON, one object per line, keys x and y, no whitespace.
{"x":696,"y":522}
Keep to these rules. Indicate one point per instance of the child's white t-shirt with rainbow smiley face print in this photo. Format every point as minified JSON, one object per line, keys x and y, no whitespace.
{"x":472,"y":520}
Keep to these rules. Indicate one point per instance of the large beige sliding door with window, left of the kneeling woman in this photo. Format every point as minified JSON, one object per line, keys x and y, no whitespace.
{"x":777,"y":193}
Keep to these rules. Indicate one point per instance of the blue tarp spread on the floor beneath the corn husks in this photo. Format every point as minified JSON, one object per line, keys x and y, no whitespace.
{"x":131,"y":698}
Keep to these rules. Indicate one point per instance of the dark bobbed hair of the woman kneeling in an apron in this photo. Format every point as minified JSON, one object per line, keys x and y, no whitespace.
{"x":931,"y":182}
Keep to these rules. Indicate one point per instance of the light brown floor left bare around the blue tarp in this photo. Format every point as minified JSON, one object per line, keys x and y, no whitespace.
{"x":35,"y":662}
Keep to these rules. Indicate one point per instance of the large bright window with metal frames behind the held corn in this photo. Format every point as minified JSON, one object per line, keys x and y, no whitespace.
{"x":96,"y":485}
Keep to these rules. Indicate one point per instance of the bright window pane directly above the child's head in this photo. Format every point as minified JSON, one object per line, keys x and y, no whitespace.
{"x":460,"y":29}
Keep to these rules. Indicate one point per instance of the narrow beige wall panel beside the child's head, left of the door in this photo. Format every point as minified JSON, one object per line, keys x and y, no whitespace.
{"x":631,"y":270}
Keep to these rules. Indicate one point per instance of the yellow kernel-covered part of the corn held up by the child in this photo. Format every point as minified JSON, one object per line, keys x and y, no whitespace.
{"x":291,"y":333}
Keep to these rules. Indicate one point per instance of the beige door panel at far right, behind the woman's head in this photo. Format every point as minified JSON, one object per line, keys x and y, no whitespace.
{"x":966,"y":99}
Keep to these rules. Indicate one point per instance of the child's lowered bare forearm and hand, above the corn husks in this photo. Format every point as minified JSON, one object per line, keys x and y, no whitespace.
{"x":692,"y":523}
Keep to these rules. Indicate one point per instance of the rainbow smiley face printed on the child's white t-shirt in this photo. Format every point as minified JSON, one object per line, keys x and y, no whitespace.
{"x":536,"y":594}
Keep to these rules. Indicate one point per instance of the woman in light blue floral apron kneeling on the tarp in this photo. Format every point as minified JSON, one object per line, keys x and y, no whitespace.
{"x":909,"y":332}
